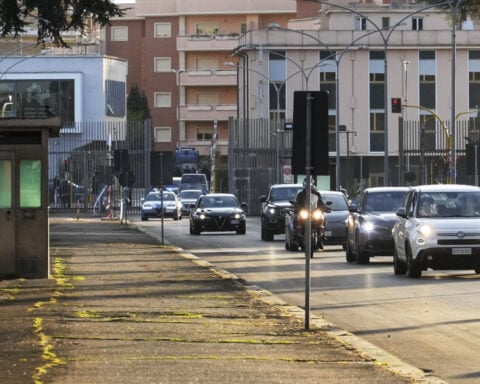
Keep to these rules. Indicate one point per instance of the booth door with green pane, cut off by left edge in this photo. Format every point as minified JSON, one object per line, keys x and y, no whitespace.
{"x":7,"y":213}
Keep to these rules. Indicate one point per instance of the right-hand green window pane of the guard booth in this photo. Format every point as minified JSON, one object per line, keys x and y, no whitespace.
{"x":30,"y":183}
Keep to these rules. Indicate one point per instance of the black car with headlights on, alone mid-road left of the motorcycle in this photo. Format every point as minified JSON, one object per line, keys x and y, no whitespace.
{"x":218,"y":212}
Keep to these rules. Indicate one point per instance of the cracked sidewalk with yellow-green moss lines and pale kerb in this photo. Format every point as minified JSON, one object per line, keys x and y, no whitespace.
{"x":120,"y":308}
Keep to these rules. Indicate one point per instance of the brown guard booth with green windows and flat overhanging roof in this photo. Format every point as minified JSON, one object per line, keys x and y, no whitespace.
{"x":24,"y":233}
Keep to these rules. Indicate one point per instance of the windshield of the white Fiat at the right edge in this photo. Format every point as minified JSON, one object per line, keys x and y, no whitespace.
{"x":449,"y":204}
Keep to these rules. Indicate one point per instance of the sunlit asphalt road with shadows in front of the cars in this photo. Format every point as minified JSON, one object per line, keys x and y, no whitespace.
{"x":432,"y":323}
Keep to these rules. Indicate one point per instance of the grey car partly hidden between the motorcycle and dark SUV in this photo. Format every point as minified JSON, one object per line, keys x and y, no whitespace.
{"x":336,"y":219}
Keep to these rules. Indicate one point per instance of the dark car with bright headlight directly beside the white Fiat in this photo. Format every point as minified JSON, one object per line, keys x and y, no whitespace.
{"x":370,"y":223}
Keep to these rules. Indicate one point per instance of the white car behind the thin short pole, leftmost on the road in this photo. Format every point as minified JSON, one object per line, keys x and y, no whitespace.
{"x":157,"y":202}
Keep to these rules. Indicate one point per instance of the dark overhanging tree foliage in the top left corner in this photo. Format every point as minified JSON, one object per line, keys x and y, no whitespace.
{"x":52,"y":17}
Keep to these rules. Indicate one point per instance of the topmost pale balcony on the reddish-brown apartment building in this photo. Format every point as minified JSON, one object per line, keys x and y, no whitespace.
{"x":218,"y":42}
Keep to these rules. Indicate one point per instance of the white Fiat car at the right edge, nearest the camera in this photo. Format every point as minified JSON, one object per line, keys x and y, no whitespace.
{"x":439,"y":228}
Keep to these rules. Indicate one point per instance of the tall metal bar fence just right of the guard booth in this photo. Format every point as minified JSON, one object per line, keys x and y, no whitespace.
{"x":94,"y":165}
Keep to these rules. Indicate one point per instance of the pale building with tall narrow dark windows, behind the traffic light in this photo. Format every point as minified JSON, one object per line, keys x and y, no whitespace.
{"x":365,"y":54}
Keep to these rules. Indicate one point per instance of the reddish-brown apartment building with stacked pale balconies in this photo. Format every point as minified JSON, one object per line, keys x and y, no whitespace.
{"x":176,"y":52}
